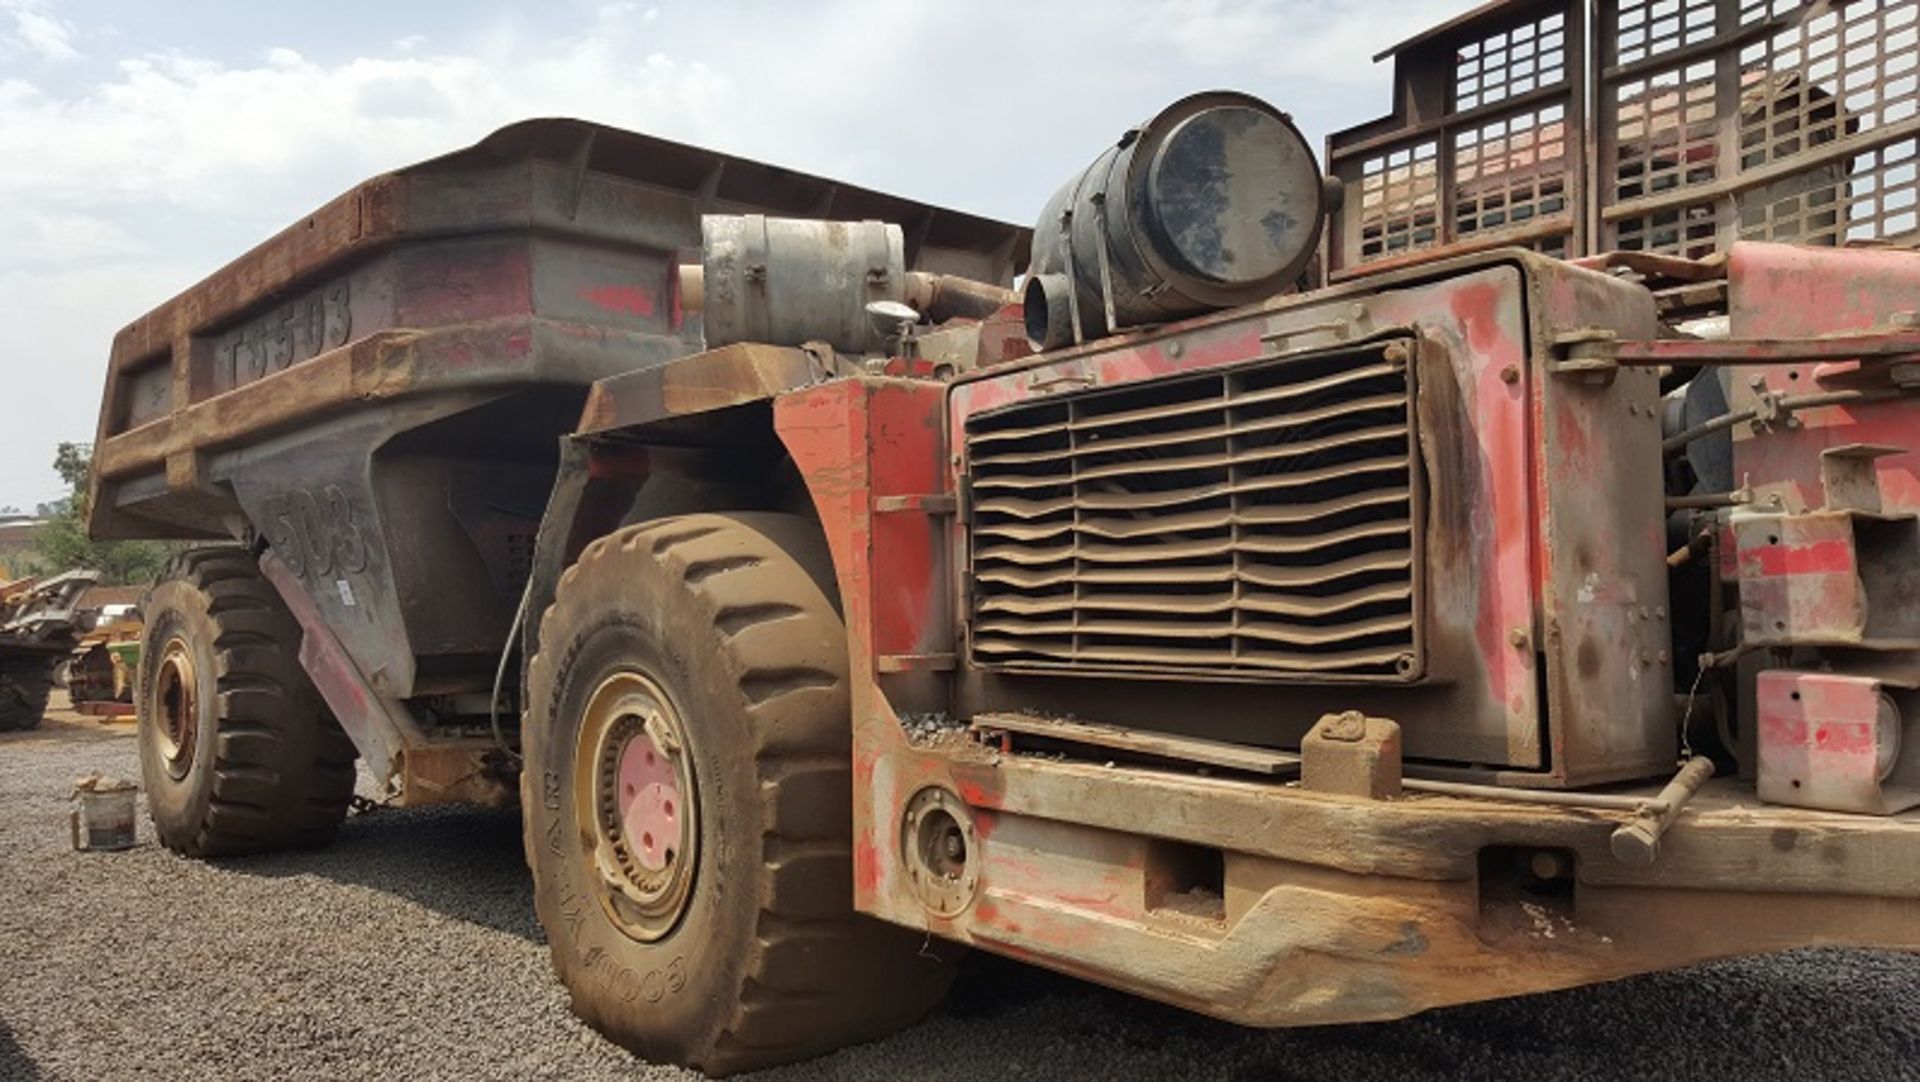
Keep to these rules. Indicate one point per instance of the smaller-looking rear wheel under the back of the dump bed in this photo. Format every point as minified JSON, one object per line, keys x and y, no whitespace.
{"x":237,"y":749}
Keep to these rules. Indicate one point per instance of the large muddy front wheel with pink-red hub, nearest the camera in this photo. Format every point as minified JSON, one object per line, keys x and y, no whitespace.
{"x":704,"y":661}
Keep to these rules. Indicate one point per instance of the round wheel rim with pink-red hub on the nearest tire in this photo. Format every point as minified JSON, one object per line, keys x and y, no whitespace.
{"x":635,"y":784}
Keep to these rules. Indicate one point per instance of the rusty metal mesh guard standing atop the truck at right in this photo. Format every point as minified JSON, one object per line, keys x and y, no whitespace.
{"x":1714,"y":122}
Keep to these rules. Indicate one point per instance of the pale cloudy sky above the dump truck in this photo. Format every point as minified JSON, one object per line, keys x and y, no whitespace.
{"x":145,"y":145}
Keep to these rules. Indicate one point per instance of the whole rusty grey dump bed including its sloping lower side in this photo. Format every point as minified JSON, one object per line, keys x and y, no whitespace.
{"x":379,"y":388}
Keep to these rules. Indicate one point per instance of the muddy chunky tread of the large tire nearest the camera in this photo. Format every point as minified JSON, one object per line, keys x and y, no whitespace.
{"x":821,"y":976}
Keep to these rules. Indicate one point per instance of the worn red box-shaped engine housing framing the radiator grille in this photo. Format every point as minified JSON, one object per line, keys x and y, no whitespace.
{"x":1529,"y":481}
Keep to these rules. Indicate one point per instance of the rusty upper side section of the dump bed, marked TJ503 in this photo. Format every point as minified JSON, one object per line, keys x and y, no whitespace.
{"x":565,"y":231}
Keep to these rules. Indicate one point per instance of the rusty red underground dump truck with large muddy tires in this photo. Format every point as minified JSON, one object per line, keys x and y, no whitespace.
{"x":1470,"y":626}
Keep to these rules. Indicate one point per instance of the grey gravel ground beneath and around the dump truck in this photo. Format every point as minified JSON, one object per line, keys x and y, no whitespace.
{"x":410,"y":951}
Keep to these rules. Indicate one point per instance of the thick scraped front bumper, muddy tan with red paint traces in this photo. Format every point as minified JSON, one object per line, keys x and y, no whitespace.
{"x":1341,"y":910}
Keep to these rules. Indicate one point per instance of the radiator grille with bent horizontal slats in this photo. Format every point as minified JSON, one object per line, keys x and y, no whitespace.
{"x":1249,"y":523}
